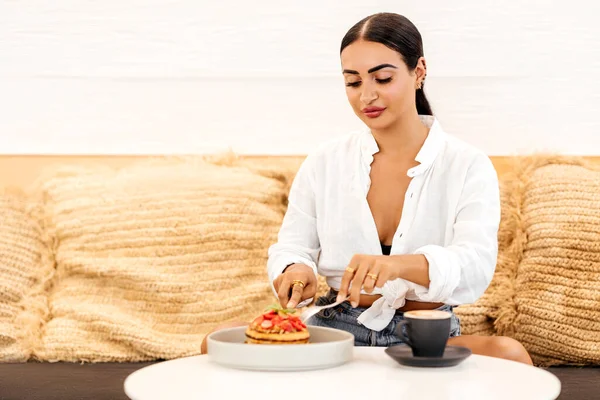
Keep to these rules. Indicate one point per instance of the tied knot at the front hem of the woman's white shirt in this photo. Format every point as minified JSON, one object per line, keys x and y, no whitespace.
{"x":382,"y":311}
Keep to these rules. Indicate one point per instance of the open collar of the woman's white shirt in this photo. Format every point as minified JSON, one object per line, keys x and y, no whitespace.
{"x":425,"y":157}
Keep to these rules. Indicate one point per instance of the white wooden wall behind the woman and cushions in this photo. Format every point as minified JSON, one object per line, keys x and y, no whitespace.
{"x":194,"y":76}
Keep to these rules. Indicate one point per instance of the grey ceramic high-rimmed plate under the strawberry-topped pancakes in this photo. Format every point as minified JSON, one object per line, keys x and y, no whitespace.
{"x":327,"y":348}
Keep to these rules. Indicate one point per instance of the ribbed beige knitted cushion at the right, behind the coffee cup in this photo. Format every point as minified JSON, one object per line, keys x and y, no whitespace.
{"x":554,"y":305}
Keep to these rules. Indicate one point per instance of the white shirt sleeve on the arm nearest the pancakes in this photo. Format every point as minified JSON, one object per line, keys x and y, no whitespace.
{"x":298,"y":241}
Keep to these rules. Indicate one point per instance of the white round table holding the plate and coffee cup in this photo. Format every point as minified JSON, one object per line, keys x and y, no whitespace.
{"x":370,"y":375}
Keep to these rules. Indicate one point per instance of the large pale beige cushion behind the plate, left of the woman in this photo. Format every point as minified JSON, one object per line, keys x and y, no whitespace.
{"x":152,"y":257}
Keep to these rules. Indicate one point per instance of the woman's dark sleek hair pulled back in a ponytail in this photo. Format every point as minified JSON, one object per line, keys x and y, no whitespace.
{"x":398,"y":33}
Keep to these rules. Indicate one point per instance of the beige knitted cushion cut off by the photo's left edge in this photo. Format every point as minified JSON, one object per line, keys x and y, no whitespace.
{"x":24,"y":269}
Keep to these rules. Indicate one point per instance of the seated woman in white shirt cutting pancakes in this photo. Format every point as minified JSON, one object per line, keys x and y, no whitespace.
{"x":401,"y":217}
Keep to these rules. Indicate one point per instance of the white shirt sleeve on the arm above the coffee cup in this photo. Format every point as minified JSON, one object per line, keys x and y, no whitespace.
{"x":461,"y":272}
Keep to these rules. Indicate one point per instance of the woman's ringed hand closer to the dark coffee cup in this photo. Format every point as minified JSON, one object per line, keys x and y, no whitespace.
{"x":368,"y":272}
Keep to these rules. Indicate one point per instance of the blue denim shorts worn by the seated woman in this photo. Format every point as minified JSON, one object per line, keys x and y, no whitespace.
{"x":344,"y":317}
